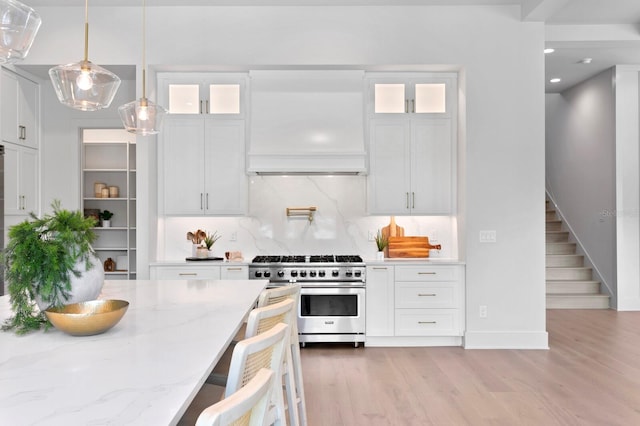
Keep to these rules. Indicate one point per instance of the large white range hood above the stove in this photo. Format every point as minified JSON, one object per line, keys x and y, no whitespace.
{"x":306,"y":122}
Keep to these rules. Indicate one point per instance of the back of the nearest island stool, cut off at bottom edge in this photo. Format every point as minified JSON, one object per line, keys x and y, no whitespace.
{"x":246,"y":407}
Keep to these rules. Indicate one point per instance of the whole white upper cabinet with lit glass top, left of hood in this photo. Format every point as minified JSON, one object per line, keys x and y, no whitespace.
{"x":201,"y":160}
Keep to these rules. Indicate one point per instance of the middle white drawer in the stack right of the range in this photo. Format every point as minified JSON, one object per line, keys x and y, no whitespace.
{"x":426,"y":295}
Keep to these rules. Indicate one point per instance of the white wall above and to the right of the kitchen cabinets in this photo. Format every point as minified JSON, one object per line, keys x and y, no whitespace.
{"x":500,"y":57}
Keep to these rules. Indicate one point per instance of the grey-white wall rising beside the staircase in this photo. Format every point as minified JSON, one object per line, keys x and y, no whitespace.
{"x":580,"y":168}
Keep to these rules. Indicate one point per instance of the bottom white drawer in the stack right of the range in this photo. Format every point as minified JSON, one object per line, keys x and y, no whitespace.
{"x":427,"y":322}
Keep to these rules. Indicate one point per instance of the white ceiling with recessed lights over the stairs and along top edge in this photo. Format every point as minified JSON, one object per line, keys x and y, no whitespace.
{"x":608,"y":31}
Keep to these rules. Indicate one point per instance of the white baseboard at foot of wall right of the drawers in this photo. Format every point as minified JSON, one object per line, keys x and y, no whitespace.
{"x":506,"y":340}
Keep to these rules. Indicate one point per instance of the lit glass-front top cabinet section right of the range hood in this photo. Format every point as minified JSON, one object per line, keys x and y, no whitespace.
{"x":418,"y":95}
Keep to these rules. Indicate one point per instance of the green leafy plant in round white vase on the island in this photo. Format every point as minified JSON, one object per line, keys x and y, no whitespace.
{"x":49,"y":261}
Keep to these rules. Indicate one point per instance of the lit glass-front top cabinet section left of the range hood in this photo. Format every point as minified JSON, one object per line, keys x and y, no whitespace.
{"x":220,"y":95}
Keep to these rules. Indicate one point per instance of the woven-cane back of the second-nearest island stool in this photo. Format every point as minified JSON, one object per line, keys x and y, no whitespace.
{"x":265,"y":350}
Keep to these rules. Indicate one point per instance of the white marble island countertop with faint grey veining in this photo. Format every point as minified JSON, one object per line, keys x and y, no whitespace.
{"x":144,"y":371}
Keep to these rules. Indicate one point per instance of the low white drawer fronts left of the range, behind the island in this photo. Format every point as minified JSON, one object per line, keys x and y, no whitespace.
{"x":204,"y":270}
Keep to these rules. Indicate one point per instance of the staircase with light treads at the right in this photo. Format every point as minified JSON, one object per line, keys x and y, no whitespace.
{"x":570,"y":284}
